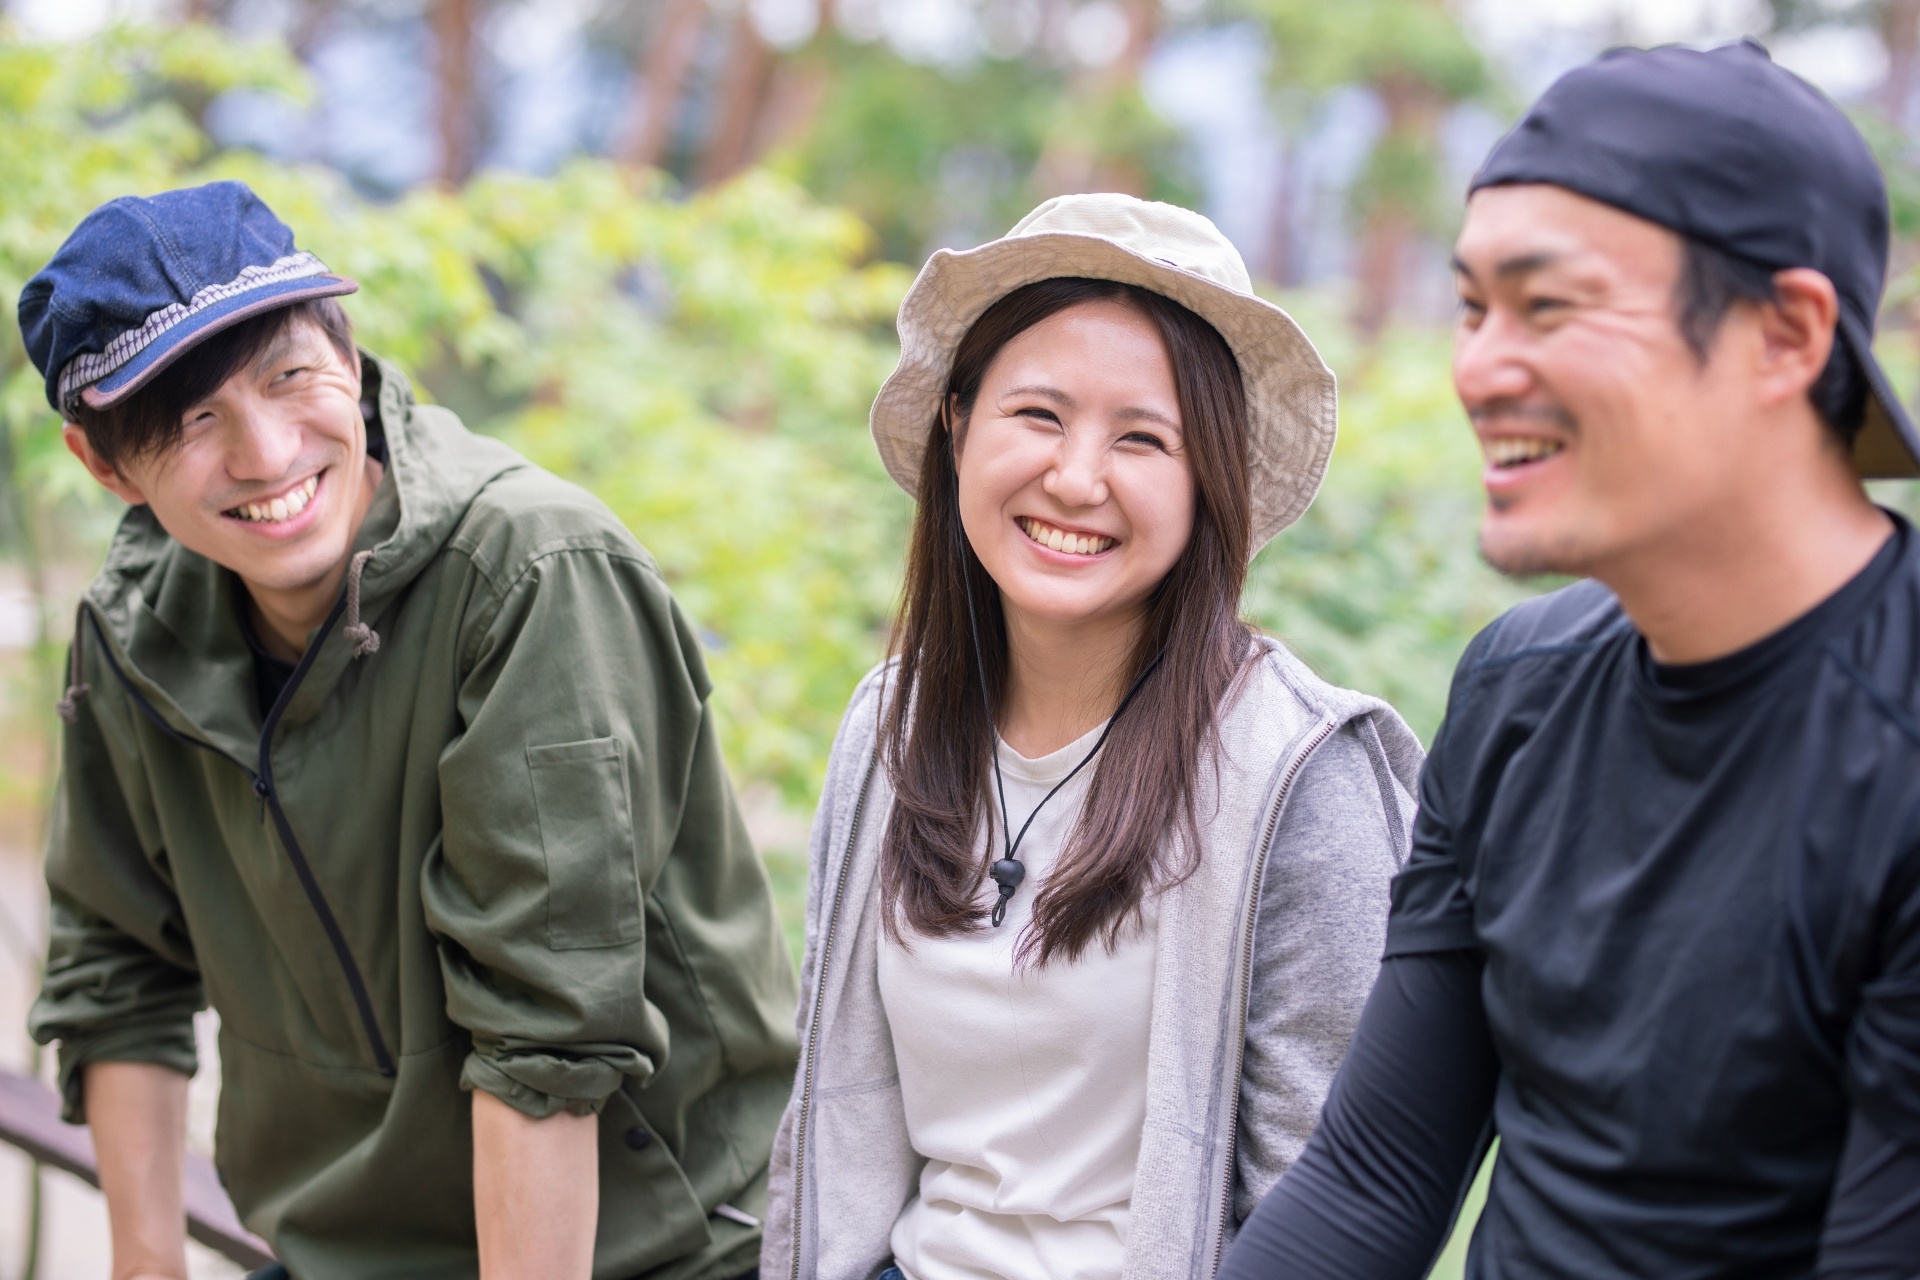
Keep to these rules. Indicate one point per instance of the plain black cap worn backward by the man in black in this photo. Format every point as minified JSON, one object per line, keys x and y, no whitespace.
{"x":1735,"y":151}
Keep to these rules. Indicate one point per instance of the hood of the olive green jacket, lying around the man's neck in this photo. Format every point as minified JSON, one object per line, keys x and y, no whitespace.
{"x":170,"y":615}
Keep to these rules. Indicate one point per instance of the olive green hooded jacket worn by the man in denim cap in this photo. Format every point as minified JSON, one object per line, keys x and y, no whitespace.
{"x":496,"y":851}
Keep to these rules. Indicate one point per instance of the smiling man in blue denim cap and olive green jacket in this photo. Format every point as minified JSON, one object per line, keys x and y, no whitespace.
{"x":396,"y":751}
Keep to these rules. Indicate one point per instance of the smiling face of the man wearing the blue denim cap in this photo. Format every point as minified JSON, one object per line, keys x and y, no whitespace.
{"x":270,"y":475}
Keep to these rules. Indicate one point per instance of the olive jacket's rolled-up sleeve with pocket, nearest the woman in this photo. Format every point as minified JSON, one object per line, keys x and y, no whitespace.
{"x":583,"y":707}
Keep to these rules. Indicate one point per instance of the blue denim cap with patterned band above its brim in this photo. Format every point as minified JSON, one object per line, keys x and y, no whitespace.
{"x":141,"y":281}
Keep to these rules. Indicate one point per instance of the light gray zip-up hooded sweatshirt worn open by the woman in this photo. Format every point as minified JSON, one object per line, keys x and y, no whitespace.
{"x":1266,"y":957}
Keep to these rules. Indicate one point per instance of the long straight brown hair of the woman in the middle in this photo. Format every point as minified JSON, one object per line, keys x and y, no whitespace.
{"x":938,"y":734}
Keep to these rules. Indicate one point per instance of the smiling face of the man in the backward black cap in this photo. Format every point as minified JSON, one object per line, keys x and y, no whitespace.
{"x":1600,"y":427}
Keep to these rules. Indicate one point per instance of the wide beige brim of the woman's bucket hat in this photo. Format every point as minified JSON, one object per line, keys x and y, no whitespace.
{"x":1291,"y":394}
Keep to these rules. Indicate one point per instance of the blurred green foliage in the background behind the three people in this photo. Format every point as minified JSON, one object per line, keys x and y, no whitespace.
{"x":706,"y":364}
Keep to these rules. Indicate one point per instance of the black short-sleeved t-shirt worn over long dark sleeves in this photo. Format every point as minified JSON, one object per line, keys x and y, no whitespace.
{"x":1698,"y":901}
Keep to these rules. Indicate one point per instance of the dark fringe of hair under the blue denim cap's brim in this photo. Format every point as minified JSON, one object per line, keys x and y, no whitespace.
{"x":149,"y":421}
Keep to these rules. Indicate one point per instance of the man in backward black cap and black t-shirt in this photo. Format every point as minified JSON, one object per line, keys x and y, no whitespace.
{"x":1660,"y":932}
